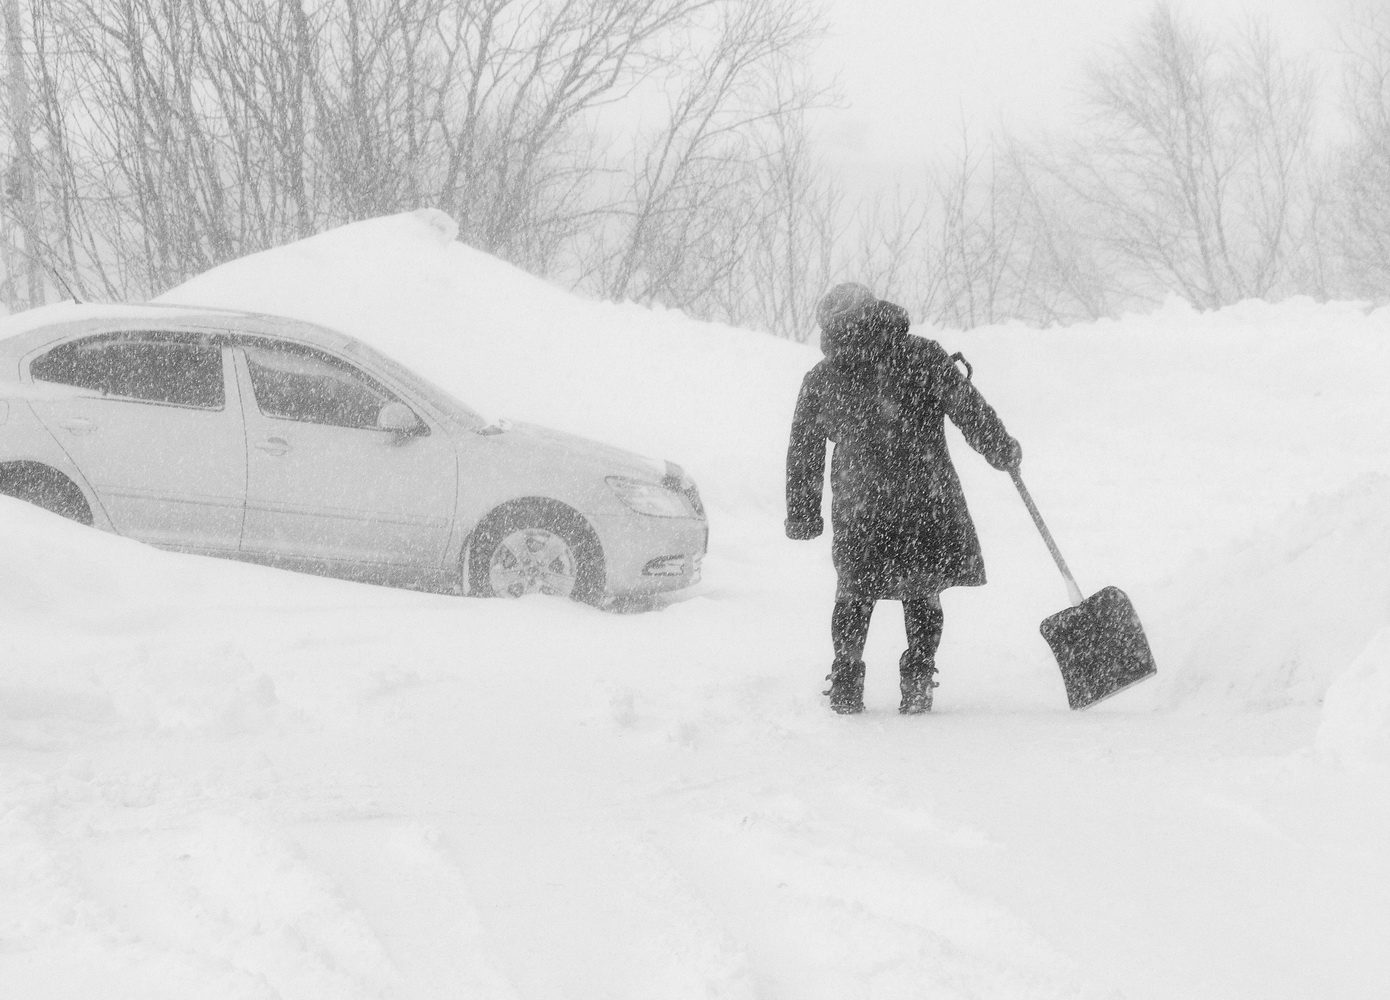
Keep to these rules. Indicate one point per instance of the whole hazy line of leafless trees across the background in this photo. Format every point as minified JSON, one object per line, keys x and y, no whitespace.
{"x":170,"y":136}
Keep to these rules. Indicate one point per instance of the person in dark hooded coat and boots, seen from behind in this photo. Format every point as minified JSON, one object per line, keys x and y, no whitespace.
{"x":901,"y":531}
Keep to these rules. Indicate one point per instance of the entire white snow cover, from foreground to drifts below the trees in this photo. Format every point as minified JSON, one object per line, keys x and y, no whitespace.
{"x":222,"y":781}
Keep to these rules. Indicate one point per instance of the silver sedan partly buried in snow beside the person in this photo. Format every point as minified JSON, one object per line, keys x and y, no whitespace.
{"x":279,"y":442}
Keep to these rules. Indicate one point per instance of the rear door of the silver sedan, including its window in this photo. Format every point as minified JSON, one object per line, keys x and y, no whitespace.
{"x":152,"y":428}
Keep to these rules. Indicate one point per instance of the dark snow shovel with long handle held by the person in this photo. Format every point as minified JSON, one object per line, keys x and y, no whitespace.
{"x":1099,"y":642}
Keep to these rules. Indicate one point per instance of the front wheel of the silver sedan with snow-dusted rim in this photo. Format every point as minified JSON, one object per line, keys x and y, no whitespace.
{"x":537,"y":547}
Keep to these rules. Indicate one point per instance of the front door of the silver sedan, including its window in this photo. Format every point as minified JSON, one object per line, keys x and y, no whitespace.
{"x":325,"y":481}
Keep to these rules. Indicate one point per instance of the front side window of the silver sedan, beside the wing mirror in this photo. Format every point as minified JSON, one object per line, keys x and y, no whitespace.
{"x":297,"y":383}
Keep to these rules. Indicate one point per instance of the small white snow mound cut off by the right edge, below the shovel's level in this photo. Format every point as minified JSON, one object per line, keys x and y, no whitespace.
{"x":1356,"y":714}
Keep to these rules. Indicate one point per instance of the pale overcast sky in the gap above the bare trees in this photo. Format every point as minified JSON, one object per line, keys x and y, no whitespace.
{"x":913,"y":72}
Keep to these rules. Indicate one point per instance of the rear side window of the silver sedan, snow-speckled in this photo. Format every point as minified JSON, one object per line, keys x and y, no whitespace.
{"x":155,"y":368}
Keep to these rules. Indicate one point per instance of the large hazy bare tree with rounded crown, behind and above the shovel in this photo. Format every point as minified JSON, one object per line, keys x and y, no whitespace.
{"x":1193,"y":159}
